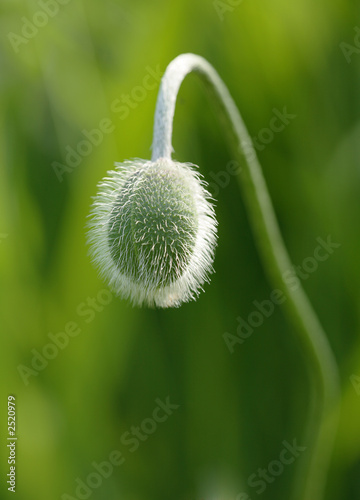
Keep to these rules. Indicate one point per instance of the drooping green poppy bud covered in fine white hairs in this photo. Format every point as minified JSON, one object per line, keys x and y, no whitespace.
{"x":152,"y":232}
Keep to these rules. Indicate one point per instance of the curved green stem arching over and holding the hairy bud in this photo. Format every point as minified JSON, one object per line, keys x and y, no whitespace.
{"x":324,"y":408}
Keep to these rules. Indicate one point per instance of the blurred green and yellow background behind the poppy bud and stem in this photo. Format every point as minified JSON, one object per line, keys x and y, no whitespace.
{"x":235,"y":410}
